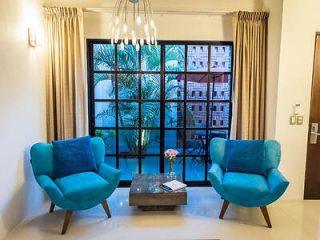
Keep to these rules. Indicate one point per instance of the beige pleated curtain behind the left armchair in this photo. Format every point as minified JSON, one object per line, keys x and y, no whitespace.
{"x":66,"y":84}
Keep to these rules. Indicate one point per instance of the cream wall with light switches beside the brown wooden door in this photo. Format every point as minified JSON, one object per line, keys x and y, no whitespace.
{"x":300,"y":23}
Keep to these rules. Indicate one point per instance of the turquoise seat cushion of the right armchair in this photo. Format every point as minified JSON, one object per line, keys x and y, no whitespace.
{"x":245,"y":185}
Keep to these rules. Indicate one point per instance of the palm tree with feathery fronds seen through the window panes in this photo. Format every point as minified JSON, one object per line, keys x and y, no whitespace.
{"x":128,"y":87}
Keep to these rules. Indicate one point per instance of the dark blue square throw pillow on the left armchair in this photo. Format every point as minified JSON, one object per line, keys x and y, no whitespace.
{"x":73,"y":156}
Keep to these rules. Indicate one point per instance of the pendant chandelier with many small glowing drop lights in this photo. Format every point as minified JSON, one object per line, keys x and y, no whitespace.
{"x":133,"y":20}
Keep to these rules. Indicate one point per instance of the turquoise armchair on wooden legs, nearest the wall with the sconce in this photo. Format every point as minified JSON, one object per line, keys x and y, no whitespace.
{"x":77,"y":191}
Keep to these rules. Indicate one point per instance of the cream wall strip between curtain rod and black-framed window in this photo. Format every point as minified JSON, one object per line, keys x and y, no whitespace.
{"x":170,"y":27}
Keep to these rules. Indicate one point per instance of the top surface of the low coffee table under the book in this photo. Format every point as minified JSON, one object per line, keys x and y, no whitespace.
{"x":150,"y":183}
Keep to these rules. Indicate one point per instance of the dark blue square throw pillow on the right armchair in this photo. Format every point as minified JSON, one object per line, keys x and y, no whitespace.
{"x":245,"y":156}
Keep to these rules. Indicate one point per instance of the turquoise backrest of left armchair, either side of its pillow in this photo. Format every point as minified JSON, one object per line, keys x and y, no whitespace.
{"x":43,"y":162}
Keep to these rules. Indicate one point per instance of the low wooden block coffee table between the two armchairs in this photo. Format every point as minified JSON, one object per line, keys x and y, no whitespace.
{"x":145,"y":193}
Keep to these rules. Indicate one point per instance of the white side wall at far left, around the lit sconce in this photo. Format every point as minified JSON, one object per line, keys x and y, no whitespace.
{"x":22,"y":110}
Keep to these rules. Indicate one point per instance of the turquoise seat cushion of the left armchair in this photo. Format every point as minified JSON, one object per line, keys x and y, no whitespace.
{"x":82,"y":187}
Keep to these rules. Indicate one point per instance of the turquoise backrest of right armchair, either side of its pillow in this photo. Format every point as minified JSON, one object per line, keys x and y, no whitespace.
{"x":272,"y":152}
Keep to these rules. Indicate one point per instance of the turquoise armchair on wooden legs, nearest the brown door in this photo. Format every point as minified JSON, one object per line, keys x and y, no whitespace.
{"x":247,"y":189}
